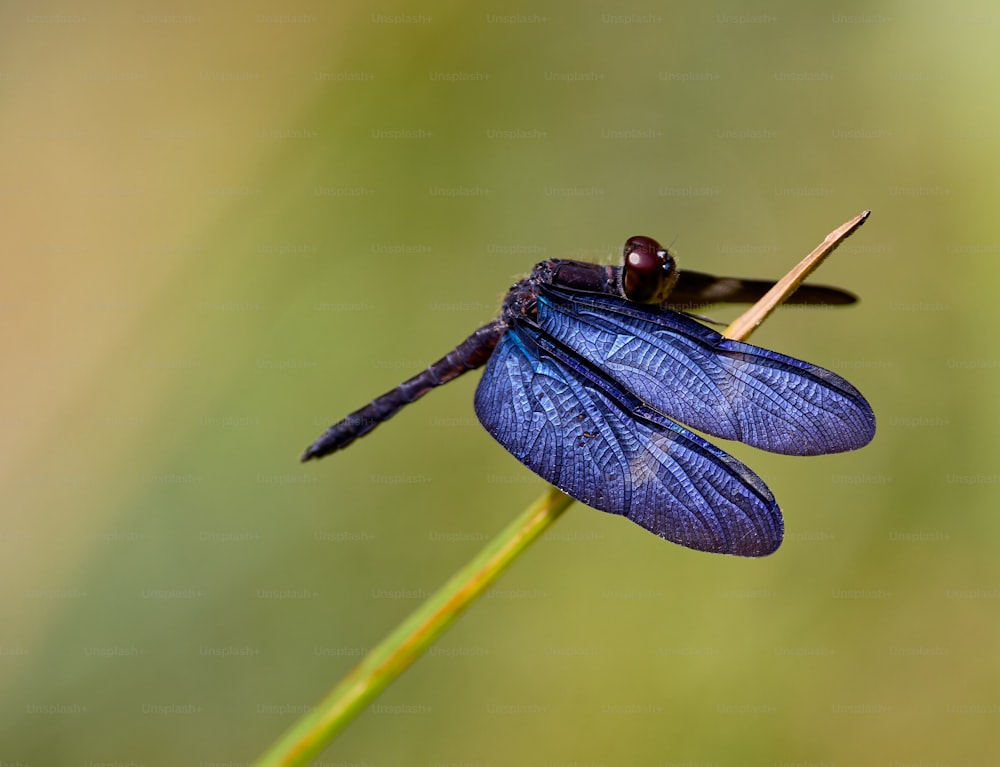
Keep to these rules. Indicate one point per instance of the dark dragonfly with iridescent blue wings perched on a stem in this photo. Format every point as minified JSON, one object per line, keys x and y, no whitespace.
{"x":592,"y":369}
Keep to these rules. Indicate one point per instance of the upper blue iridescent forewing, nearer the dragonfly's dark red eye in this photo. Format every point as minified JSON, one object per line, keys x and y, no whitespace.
{"x":725,"y":388}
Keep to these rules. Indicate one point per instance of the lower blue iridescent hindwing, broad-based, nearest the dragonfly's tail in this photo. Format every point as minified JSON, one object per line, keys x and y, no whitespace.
{"x":568,"y":422}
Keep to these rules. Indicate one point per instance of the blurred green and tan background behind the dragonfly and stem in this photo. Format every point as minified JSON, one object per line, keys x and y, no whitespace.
{"x":226,"y":227}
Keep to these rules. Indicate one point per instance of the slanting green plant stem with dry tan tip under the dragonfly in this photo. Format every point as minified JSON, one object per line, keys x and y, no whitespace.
{"x":394,"y":654}
